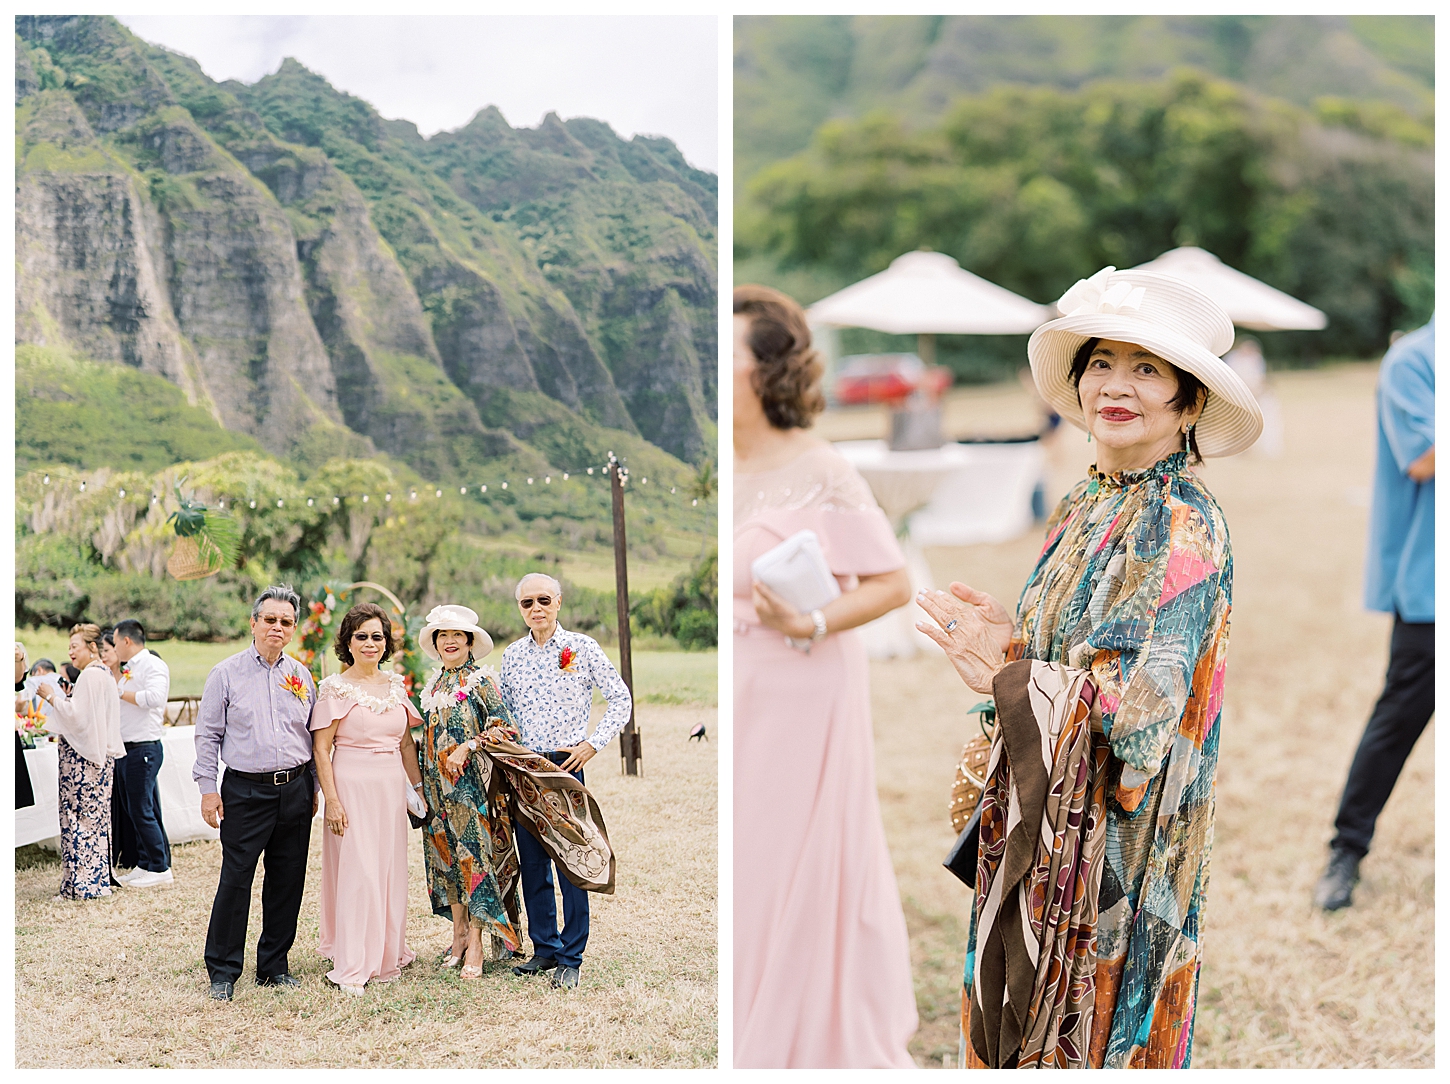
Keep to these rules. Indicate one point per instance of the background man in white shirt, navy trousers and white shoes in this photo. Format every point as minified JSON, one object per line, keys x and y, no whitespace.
{"x":144,"y":689}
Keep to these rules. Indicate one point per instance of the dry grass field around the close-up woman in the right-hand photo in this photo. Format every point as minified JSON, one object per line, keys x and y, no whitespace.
{"x":1284,"y":985}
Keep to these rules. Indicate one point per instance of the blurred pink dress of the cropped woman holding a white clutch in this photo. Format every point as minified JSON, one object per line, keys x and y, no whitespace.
{"x":823,"y":967}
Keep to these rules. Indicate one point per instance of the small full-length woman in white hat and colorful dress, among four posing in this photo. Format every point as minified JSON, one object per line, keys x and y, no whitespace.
{"x":473,"y":870}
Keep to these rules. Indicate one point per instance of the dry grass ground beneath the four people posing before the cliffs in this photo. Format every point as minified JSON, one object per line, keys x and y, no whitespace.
{"x":121,"y":982}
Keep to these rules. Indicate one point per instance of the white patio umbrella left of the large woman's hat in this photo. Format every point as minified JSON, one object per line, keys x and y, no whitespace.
{"x":927,"y":295}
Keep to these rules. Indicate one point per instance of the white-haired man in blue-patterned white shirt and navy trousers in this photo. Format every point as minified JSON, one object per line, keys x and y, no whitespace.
{"x":549,"y":680}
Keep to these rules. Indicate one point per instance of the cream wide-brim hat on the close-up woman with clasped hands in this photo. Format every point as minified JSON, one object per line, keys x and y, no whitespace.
{"x":1165,"y":315}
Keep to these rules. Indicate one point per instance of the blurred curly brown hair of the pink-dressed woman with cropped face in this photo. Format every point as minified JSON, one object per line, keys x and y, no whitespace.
{"x":788,"y":373}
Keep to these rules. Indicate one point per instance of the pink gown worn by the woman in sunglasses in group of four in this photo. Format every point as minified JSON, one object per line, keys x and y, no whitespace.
{"x":365,"y":873}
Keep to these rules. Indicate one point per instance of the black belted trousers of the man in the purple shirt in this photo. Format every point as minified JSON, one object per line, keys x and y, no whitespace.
{"x":260,"y":820}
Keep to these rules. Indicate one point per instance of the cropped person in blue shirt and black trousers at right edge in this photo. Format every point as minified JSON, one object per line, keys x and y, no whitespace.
{"x":1400,"y":579}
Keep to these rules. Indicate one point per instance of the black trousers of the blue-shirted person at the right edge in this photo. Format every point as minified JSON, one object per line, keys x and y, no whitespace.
{"x":1399,"y":721}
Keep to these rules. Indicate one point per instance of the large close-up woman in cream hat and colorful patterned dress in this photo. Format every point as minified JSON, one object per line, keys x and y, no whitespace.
{"x":1109,"y":686}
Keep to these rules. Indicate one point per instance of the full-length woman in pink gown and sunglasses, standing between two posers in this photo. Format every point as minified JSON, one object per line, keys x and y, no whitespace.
{"x":366,"y":763}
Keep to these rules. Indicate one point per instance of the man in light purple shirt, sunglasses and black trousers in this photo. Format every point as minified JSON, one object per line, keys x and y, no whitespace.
{"x":254,"y":718}
